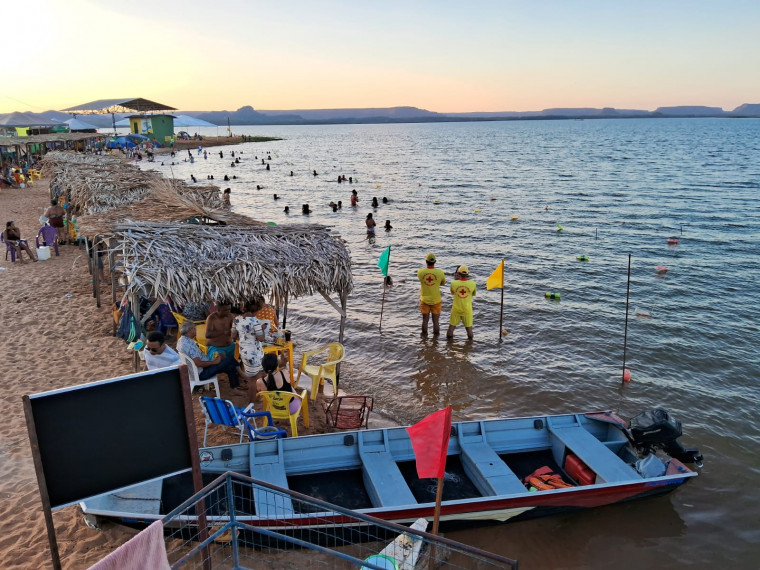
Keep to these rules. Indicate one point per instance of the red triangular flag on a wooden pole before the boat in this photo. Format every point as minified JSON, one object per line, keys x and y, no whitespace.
{"x":430,"y":441}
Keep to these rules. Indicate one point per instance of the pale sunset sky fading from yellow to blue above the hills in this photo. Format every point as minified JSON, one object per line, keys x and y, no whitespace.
{"x":438,"y":55}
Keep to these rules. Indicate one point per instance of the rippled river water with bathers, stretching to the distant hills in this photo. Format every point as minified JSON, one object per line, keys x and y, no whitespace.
{"x":616,"y":187}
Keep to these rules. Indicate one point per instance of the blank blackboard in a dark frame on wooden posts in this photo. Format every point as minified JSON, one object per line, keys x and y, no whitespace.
{"x":102,"y":436}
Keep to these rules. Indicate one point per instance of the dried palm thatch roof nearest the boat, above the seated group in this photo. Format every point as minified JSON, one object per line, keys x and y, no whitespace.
{"x":193,"y":263}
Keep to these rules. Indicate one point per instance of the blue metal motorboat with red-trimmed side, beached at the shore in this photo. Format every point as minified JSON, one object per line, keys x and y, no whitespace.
{"x":373,"y":473}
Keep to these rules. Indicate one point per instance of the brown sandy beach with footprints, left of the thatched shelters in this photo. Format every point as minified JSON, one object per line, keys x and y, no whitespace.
{"x":57,"y":337}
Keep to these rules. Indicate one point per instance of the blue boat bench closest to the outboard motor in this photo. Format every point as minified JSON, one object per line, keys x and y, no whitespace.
{"x":599,"y":458}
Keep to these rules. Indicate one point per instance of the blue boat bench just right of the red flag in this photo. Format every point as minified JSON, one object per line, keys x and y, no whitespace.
{"x":487,"y":470}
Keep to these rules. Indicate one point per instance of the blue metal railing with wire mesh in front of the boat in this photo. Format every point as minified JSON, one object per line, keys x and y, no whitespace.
{"x":334,"y":537}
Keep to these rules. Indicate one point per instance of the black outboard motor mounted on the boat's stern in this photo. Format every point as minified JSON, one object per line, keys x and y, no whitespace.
{"x":657,"y":429}
